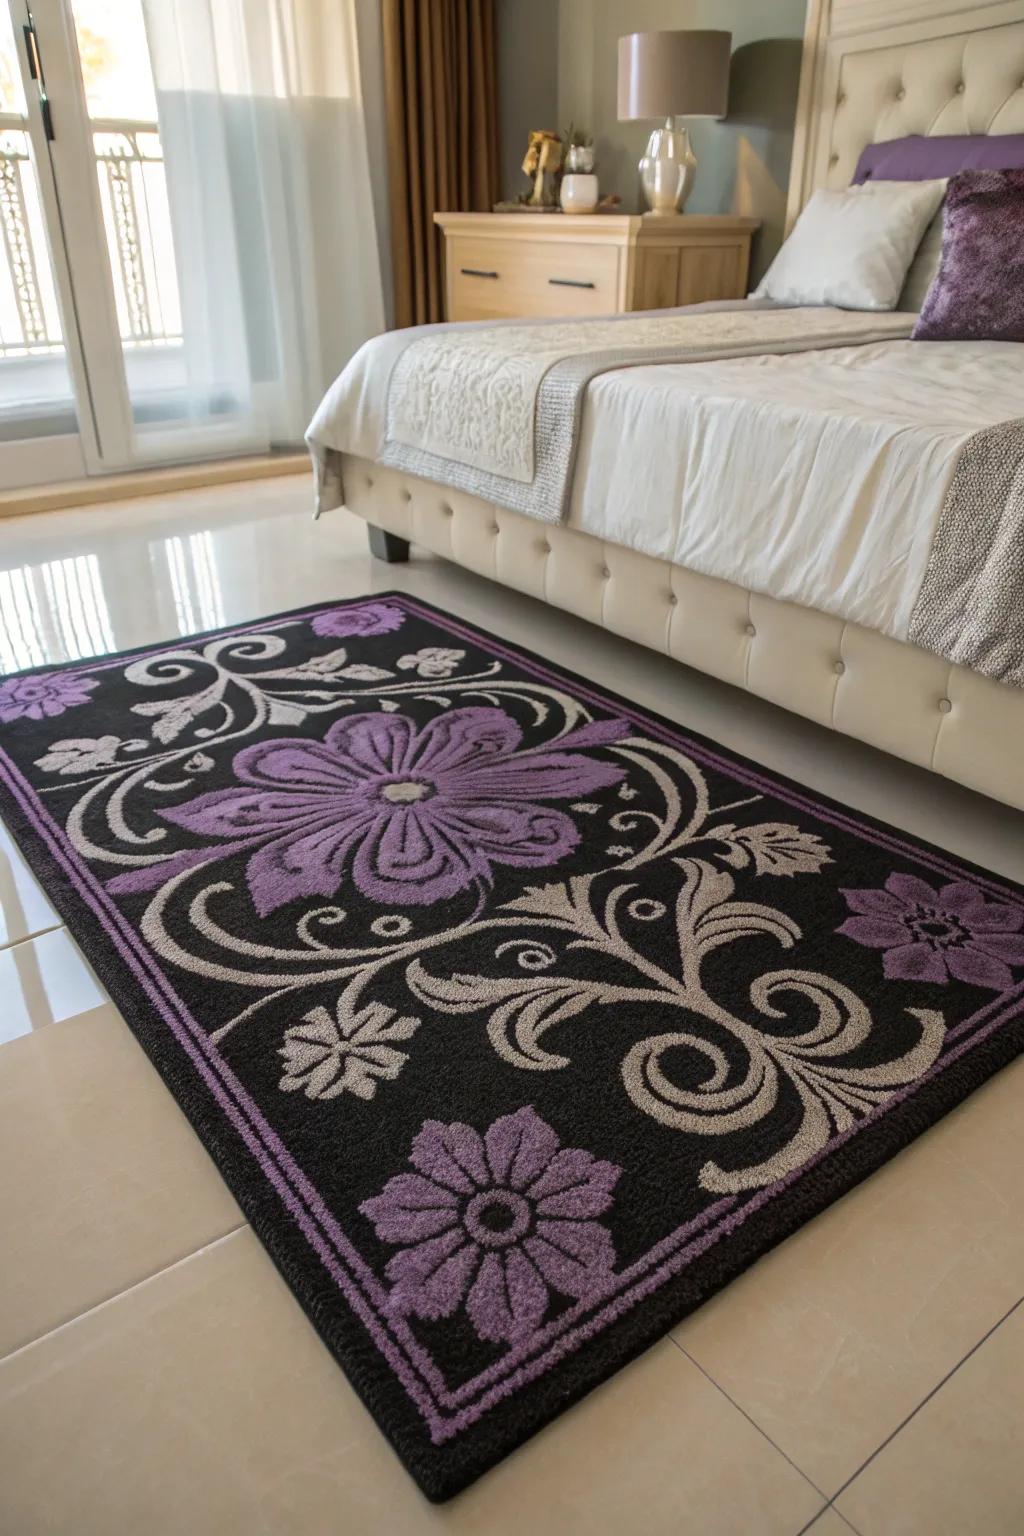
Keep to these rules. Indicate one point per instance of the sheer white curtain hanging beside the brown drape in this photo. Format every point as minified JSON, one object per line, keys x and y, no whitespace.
{"x":271,"y":205}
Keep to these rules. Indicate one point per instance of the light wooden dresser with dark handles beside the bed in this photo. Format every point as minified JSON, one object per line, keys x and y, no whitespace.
{"x":507,"y":265}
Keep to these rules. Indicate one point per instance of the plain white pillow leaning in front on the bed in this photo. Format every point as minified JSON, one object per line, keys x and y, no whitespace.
{"x":854,"y":248}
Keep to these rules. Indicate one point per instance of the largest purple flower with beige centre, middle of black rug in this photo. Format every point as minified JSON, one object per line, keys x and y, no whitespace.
{"x":417,"y":815}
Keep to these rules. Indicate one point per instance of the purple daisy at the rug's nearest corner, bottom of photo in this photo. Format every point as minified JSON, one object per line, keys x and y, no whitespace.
{"x":495,"y":1222}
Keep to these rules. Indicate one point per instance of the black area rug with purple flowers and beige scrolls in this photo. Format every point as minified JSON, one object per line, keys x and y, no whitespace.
{"x":517,"y":1019}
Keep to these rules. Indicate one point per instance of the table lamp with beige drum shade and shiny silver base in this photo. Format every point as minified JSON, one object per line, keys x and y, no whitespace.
{"x":672,"y":74}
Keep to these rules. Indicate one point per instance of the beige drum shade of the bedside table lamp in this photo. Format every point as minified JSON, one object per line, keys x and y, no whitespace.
{"x":673,"y":74}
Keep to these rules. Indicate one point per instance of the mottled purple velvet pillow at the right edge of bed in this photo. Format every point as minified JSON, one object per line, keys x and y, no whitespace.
{"x":979,"y":293}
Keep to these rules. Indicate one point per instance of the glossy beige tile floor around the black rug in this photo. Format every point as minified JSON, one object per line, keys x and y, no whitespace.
{"x":156,"y":1374}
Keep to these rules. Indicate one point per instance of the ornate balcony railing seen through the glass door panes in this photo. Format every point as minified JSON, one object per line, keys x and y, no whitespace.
{"x":137,"y":222}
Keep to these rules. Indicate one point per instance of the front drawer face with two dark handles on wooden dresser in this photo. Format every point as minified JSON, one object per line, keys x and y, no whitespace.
{"x":497,"y":280}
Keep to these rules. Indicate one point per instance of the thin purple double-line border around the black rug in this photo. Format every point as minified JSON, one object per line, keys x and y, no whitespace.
{"x":197,"y":1044}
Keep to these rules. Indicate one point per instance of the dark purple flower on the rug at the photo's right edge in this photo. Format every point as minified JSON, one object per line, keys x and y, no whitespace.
{"x":931,"y":936}
